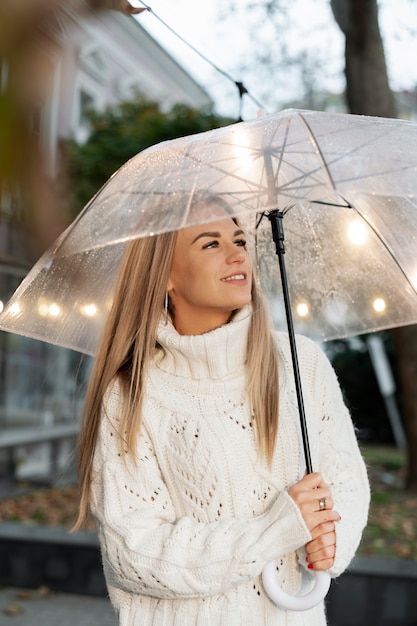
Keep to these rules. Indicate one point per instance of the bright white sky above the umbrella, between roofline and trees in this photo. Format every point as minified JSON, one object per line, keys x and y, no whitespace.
{"x":226,"y":42}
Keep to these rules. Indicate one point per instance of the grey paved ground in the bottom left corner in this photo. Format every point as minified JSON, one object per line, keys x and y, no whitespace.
{"x":34,"y":608}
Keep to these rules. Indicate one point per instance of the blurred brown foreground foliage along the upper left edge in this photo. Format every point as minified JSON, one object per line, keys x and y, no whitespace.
{"x":29,"y":39}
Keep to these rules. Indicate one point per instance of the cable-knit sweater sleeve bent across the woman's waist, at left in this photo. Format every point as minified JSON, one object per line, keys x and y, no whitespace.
{"x":147,"y":549}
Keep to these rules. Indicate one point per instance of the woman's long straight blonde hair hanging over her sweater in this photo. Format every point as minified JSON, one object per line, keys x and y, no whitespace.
{"x":129,"y":340}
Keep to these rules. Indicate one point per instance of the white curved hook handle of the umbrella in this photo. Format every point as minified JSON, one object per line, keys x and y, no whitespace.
{"x":294,"y":603}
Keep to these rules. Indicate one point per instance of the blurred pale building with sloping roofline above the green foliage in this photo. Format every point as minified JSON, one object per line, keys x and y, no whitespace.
{"x":106,"y":59}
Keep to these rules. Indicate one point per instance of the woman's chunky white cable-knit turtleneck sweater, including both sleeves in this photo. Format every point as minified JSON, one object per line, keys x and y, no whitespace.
{"x":186,"y":531}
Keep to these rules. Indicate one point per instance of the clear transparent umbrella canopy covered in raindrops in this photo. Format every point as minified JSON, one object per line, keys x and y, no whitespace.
{"x":345,"y":184}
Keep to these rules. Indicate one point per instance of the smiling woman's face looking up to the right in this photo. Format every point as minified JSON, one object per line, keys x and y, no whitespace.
{"x":211,"y":276}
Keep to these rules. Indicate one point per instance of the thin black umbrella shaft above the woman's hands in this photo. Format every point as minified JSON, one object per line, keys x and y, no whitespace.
{"x":276,"y":219}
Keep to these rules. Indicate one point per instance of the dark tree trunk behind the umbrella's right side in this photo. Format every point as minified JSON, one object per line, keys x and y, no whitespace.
{"x":368,"y":93}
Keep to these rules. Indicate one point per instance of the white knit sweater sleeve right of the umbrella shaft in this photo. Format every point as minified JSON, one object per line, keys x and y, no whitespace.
{"x":341,"y":464}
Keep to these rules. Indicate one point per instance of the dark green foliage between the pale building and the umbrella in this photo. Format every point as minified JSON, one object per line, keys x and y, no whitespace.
{"x":118,"y":133}
